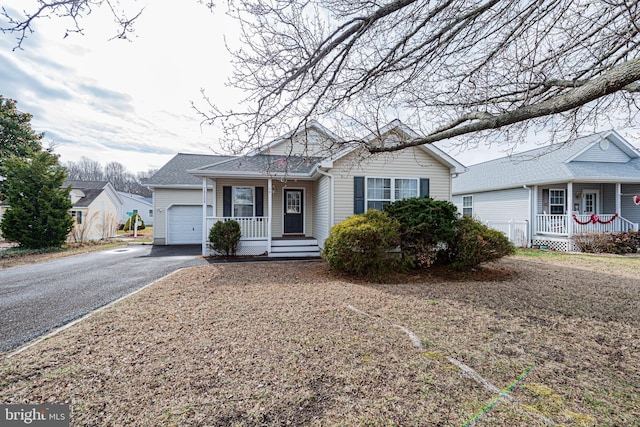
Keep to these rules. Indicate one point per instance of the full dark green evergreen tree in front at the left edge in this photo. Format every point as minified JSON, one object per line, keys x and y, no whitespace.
{"x":38,"y":215}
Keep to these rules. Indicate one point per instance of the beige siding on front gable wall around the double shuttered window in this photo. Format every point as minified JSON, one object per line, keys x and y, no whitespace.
{"x":408,"y":163}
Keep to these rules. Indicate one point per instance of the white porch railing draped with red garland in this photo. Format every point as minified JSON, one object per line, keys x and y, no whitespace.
{"x":559,"y":224}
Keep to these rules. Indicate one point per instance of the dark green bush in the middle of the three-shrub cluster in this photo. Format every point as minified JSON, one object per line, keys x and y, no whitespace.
{"x":427,"y":229}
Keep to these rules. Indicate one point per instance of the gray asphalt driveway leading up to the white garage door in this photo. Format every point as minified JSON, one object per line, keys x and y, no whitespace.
{"x":39,"y":297}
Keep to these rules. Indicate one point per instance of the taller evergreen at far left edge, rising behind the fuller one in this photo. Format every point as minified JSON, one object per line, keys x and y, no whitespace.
{"x":17,"y":138}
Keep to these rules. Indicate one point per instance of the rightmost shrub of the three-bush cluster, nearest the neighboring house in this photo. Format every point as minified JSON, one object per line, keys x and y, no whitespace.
{"x":476,"y":243}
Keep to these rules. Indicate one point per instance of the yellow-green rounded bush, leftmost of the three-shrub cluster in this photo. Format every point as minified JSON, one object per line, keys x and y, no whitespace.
{"x":363,"y":245}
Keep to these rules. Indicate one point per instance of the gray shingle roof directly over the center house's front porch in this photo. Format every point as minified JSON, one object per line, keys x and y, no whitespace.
{"x":264,"y":164}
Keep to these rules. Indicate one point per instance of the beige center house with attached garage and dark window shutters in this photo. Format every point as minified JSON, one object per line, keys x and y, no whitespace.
{"x":287,"y":196}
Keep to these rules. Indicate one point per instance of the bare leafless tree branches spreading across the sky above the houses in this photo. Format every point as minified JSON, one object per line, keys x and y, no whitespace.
{"x":448,"y":68}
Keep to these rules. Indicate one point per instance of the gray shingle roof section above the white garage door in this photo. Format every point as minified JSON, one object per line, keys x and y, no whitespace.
{"x":174,"y":173}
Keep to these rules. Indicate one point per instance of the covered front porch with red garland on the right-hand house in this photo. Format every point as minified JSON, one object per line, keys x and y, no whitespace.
{"x":594,"y":208}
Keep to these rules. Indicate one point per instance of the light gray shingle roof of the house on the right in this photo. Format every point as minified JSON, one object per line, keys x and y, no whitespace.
{"x":542,"y":166}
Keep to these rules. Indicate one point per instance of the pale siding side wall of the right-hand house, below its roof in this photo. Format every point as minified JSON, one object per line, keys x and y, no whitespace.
{"x":503,"y":205}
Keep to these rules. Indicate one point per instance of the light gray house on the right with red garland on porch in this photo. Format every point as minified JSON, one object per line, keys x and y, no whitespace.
{"x":545,"y":196}
